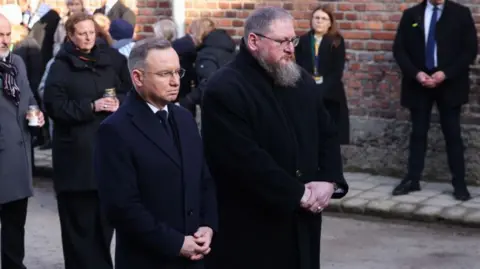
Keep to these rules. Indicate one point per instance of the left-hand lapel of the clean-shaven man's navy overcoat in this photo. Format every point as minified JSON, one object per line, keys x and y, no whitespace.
{"x":144,"y":119}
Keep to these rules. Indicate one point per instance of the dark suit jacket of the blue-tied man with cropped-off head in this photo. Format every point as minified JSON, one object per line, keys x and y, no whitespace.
{"x":456,"y":38}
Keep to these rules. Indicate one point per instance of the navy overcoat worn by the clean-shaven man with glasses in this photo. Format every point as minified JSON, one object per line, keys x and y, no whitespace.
{"x":153,"y":195}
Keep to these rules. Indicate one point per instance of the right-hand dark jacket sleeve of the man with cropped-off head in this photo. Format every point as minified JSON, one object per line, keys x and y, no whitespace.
{"x":467,"y":55}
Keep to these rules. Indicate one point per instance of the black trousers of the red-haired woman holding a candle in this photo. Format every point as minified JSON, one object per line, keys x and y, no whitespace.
{"x":86,"y":234}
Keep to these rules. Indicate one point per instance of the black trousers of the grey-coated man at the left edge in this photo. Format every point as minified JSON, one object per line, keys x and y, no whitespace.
{"x":13,"y":216}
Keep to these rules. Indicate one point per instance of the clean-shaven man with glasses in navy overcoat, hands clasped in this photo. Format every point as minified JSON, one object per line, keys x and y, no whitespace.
{"x":149,"y":164}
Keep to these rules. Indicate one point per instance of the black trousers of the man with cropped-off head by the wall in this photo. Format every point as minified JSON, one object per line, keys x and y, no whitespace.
{"x":450,"y":124}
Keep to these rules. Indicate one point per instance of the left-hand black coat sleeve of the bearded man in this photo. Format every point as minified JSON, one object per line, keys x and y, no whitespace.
{"x":230,"y":147}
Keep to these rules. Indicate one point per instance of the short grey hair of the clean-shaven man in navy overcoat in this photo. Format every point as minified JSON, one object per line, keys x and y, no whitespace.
{"x":139,"y":52}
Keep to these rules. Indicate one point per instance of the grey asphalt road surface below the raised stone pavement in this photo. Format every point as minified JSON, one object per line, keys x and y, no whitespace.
{"x":347,"y":243}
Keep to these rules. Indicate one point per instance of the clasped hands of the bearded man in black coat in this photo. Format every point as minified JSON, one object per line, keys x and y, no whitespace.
{"x":317,"y":196}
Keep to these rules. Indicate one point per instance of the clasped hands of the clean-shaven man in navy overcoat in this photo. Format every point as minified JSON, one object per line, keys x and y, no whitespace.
{"x":197,"y":246}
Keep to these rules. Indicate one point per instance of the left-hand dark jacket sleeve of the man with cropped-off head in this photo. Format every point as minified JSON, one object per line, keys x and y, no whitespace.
{"x":399,"y":52}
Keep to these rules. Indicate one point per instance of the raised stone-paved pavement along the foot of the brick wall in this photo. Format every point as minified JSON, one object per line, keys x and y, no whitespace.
{"x":370,"y":195}
